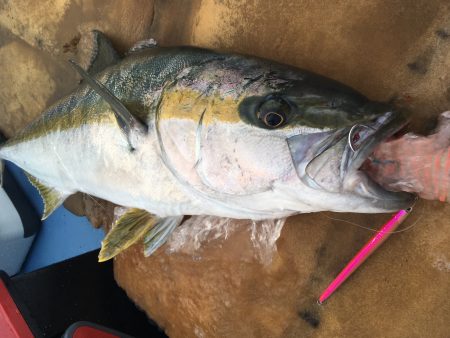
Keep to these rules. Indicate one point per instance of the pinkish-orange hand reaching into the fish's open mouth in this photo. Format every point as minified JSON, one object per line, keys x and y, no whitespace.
{"x":415,"y":163}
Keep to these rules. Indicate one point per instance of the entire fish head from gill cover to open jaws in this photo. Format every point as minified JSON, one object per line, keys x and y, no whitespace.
{"x":280,"y":138}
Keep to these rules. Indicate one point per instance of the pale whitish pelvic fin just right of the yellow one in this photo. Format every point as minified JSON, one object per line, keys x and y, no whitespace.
{"x":159,"y":234}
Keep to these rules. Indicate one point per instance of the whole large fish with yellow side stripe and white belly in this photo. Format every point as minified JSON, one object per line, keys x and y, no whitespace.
{"x":169,"y":132}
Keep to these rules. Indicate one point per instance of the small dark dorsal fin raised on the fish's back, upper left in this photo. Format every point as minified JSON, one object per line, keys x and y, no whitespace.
{"x":103,"y":53}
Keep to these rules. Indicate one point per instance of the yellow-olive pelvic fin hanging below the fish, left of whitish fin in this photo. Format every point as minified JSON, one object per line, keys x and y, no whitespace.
{"x":129,"y":228}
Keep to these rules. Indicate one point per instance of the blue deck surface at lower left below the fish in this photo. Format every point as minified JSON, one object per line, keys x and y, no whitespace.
{"x":63,"y":235}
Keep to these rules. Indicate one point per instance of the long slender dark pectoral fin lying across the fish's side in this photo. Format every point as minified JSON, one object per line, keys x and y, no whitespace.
{"x":127,"y":122}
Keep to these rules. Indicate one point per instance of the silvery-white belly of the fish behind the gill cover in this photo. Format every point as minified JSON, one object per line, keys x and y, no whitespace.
{"x":96,"y":159}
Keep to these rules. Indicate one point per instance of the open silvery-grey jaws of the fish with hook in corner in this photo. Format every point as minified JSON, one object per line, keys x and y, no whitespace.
{"x":331,"y":161}
